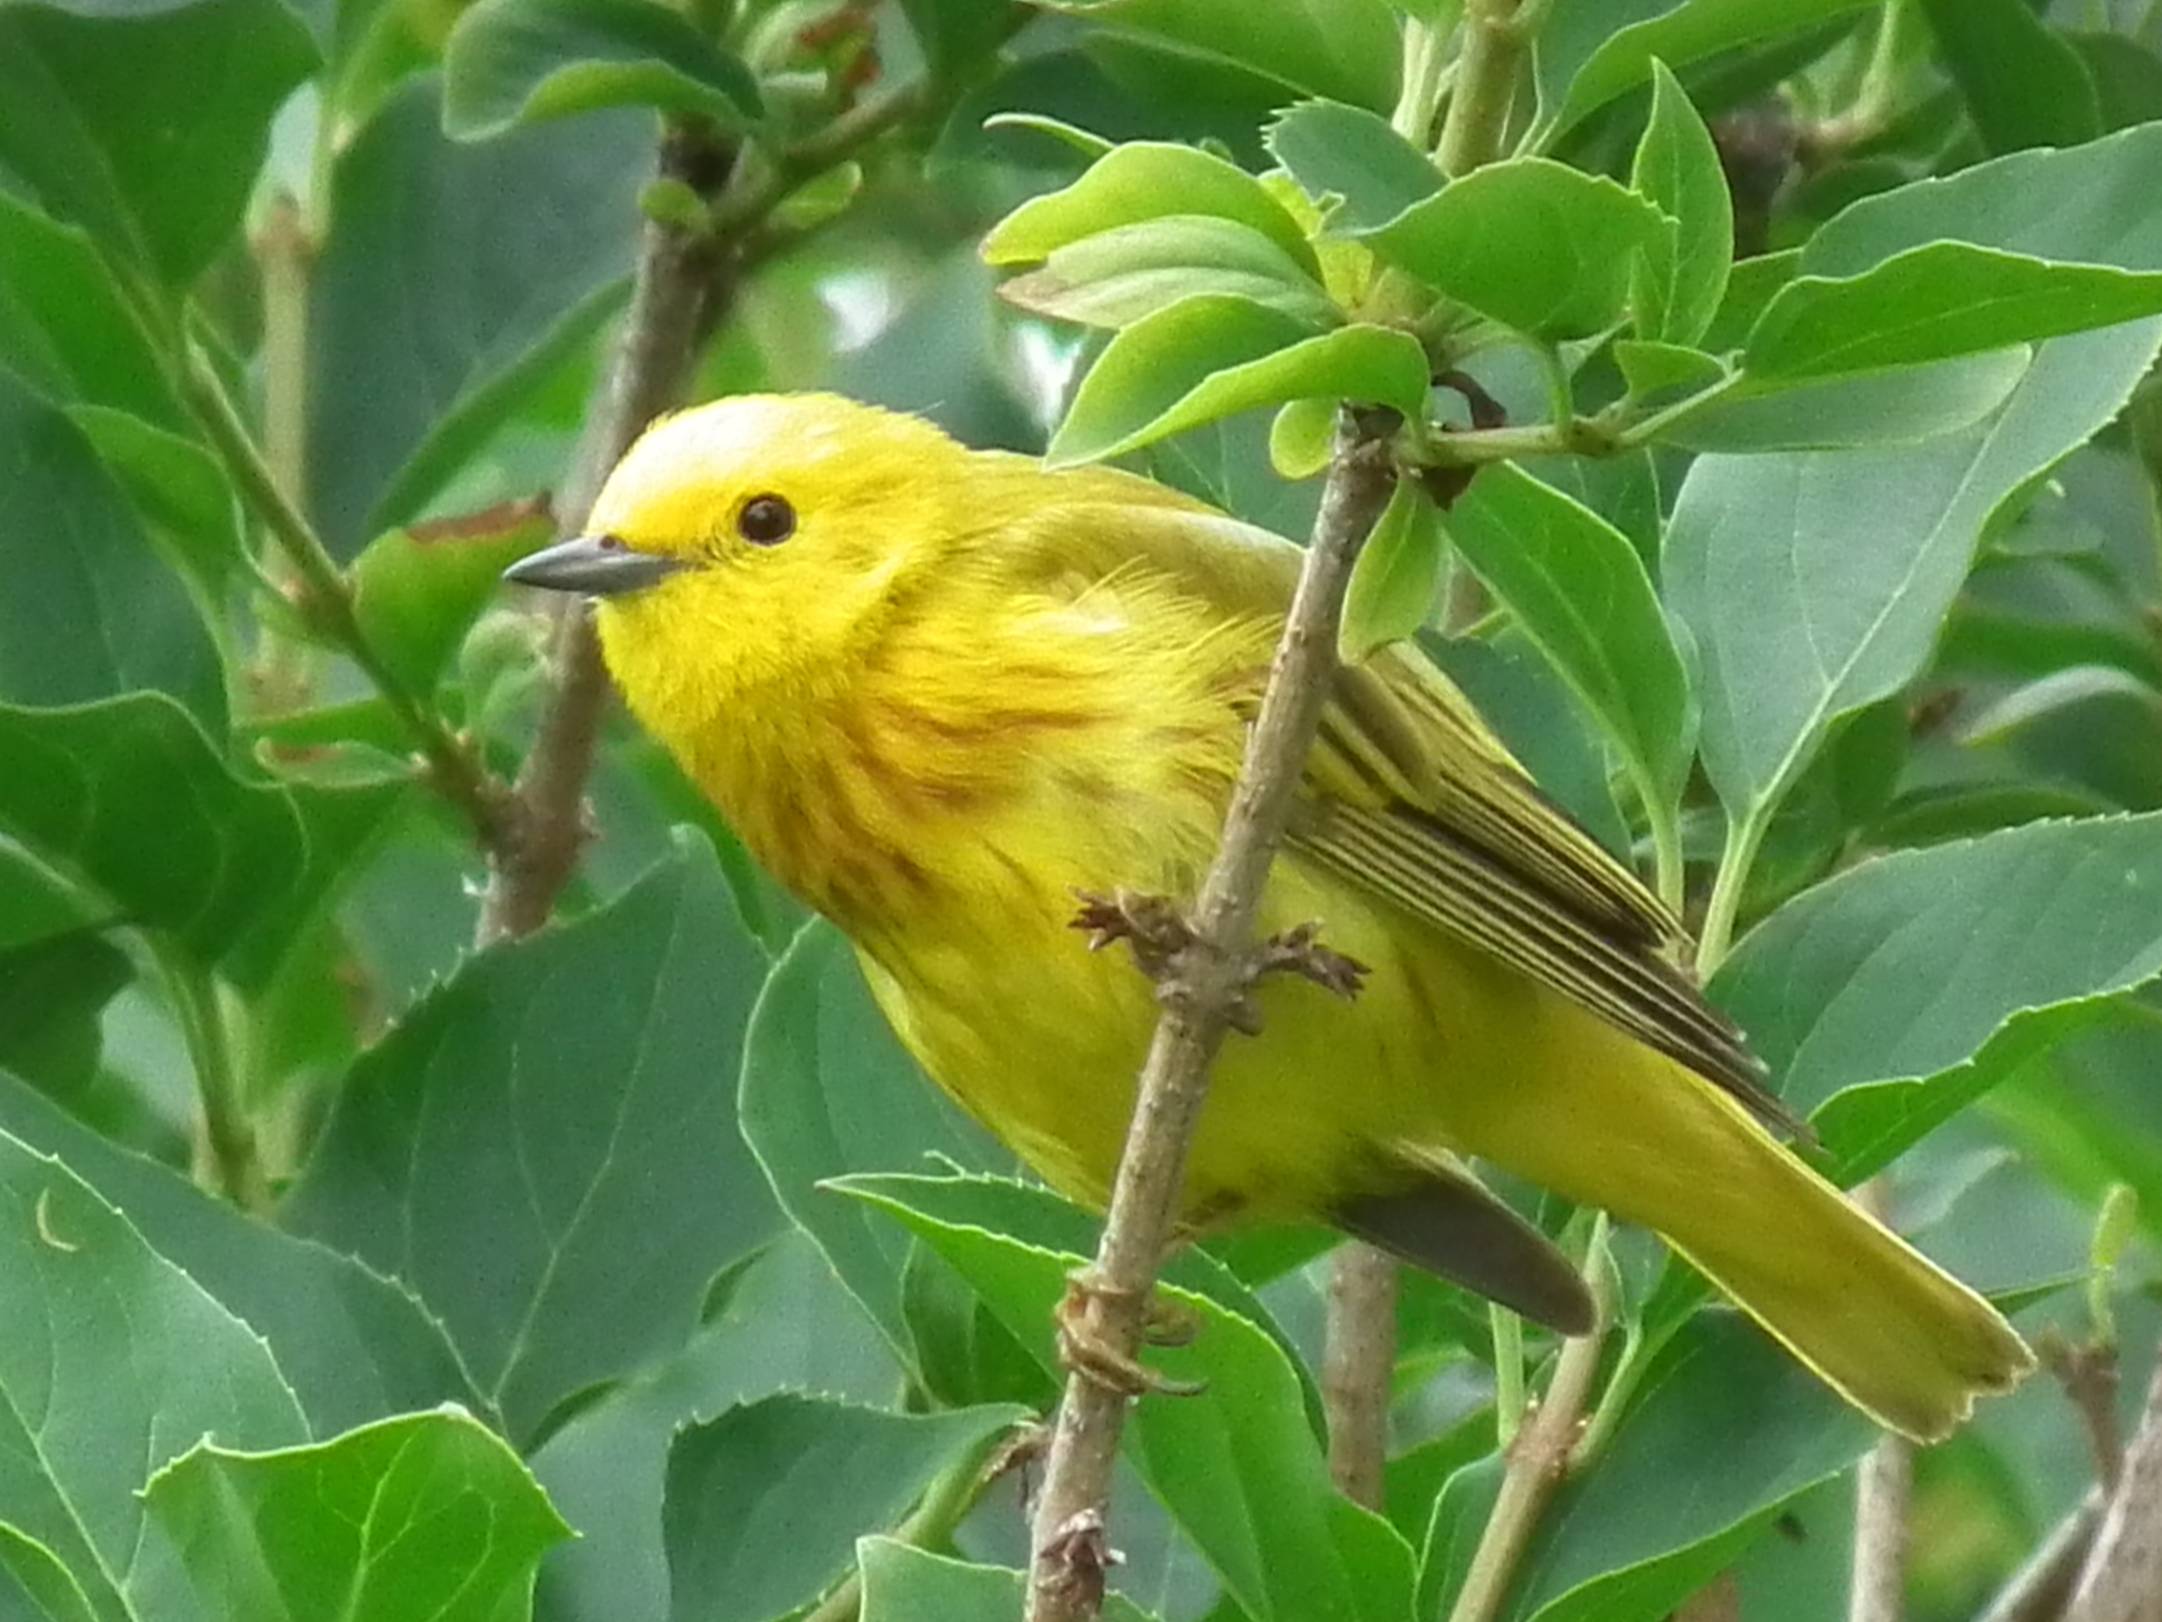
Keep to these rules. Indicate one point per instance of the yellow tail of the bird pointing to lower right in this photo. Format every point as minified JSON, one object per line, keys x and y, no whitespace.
{"x":1867,"y":1312}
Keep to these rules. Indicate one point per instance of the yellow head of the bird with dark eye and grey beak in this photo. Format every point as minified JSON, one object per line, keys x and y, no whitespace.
{"x":756,"y":546}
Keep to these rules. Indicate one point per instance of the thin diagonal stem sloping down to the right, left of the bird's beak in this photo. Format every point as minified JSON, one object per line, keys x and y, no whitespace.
{"x":325,"y":598}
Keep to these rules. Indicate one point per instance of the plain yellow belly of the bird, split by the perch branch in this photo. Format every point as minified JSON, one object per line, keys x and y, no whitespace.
{"x":1043,"y":1041}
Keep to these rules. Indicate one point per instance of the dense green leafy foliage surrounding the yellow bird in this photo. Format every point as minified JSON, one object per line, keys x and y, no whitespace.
{"x":347,"y":1271}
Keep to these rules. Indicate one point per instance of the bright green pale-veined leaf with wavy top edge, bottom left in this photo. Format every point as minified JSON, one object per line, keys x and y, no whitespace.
{"x":423,"y":1515}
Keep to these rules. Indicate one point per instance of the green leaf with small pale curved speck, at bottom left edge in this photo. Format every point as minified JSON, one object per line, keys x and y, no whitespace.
{"x":118,"y":1364}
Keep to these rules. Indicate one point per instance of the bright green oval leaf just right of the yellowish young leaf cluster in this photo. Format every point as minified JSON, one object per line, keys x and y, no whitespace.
{"x":1530,"y":243}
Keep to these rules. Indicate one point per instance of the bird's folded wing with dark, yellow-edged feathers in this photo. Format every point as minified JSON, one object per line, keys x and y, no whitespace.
{"x":1413,"y":799}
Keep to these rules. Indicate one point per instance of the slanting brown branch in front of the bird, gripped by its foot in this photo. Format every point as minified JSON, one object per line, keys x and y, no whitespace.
{"x":1199,"y":996}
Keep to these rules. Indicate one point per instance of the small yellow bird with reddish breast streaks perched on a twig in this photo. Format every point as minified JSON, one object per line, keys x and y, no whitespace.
{"x":942,"y":691}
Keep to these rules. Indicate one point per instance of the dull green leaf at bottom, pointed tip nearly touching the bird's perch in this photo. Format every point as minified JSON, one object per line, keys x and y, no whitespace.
{"x":825,"y":1472}
